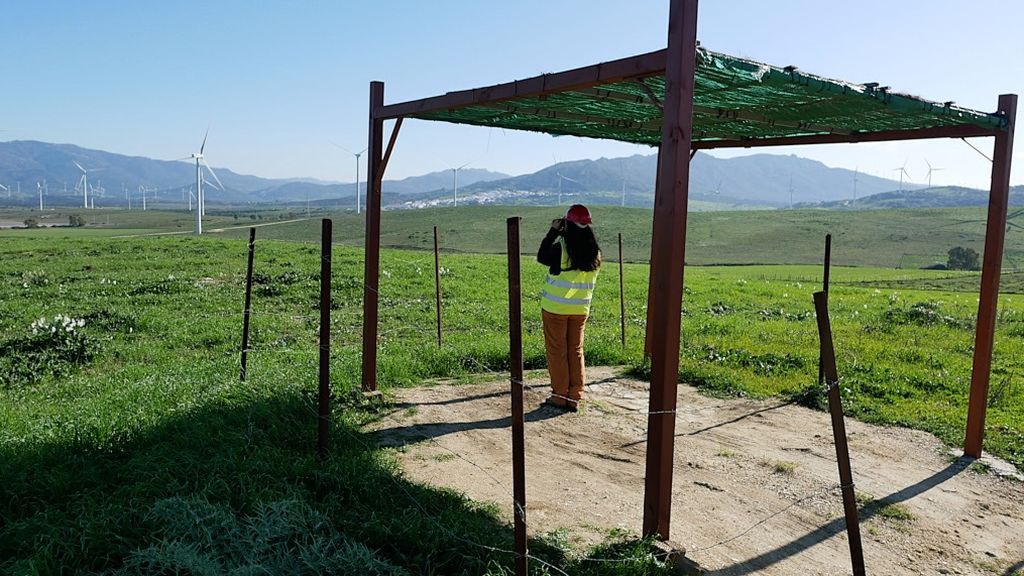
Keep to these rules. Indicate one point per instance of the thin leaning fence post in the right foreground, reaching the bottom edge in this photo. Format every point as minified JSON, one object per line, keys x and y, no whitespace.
{"x":839,"y":434}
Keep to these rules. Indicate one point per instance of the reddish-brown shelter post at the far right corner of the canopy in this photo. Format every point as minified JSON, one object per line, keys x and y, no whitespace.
{"x":996,"y":231}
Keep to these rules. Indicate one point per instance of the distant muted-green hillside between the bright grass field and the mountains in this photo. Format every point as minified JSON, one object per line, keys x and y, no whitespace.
{"x":908,"y":239}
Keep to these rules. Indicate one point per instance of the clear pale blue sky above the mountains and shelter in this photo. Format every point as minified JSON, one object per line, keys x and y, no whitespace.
{"x":278,"y":81}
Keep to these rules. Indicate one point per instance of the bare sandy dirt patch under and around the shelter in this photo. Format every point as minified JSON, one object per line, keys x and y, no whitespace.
{"x":755,"y":488}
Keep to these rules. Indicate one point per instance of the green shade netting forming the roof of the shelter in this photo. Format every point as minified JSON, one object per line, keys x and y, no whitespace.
{"x":735,"y":100}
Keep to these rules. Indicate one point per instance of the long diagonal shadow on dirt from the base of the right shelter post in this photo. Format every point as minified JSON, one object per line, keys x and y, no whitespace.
{"x":838,"y":526}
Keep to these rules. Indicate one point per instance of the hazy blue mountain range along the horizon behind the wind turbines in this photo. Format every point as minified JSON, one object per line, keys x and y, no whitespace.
{"x":760,"y":181}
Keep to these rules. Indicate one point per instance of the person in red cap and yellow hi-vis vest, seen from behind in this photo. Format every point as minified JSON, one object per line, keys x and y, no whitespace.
{"x":573,"y":257}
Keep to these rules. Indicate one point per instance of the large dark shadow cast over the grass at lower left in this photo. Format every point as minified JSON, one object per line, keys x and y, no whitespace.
{"x":90,"y":504}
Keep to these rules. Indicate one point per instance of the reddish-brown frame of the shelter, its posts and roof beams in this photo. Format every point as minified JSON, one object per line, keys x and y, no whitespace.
{"x":678,"y":64}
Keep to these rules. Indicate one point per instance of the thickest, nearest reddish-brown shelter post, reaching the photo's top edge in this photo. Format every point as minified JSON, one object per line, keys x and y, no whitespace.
{"x":669,"y":240}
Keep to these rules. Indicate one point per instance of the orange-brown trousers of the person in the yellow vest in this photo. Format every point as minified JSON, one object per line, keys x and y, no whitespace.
{"x":564,"y":343}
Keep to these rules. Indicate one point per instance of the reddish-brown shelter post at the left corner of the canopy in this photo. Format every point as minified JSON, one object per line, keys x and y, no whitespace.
{"x":372,"y":257}
